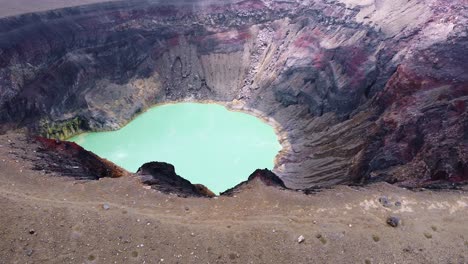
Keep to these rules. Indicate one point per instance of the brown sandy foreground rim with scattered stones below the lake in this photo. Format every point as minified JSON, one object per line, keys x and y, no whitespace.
{"x":49,"y":219}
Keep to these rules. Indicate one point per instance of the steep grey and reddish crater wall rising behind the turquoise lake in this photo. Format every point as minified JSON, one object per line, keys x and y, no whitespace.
{"x":365,"y":90}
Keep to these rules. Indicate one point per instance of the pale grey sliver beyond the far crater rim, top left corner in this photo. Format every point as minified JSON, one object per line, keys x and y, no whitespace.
{"x":17,"y":7}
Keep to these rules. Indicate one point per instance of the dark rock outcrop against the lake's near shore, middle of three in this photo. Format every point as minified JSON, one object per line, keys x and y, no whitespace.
{"x":161,"y":176}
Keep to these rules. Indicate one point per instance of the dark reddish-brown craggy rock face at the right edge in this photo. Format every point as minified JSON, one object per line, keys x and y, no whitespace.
{"x":425,"y":136}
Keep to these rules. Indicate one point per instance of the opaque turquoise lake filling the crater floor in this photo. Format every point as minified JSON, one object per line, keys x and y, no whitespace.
{"x":206,"y":143}
